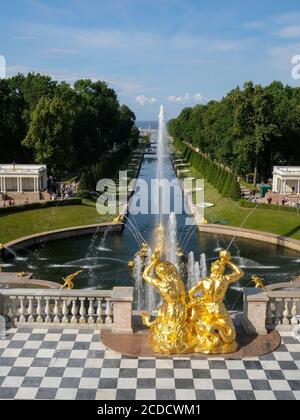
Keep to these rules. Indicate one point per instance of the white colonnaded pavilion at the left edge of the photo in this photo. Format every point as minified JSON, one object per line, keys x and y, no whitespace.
{"x":16,"y":180}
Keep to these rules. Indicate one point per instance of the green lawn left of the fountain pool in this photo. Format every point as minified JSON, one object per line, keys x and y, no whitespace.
{"x":13,"y":226}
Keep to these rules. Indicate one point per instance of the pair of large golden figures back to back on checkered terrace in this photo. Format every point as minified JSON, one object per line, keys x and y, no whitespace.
{"x":202,"y":324}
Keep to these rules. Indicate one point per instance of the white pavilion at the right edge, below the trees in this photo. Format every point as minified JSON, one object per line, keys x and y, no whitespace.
{"x":286,"y":179}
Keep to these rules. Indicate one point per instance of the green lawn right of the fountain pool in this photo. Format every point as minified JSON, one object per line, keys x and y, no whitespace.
{"x":273,"y":221}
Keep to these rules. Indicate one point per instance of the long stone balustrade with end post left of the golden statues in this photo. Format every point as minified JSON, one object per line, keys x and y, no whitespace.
{"x":110,"y":309}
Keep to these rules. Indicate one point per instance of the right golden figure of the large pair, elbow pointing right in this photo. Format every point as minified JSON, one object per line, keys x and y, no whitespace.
{"x":208,"y":318}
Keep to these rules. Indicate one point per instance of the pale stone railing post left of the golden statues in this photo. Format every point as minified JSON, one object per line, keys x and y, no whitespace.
{"x":122,"y":299}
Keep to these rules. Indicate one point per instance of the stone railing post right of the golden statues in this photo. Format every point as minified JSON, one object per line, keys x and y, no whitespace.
{"x":255,"y":311}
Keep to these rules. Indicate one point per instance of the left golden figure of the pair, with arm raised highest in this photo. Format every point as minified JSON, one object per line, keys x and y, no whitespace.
{"x":169,"y":332}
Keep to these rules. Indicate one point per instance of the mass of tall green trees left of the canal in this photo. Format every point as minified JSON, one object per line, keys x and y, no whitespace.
{"x":68,"y":127}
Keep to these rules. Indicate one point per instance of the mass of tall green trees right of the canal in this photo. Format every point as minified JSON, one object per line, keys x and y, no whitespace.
{"x":250,"y":130}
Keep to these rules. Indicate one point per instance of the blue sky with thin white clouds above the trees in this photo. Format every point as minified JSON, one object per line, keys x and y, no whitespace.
{"x":173,"y":52}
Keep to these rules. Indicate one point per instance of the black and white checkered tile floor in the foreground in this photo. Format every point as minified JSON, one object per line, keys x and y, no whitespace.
{"x":74,"y":364}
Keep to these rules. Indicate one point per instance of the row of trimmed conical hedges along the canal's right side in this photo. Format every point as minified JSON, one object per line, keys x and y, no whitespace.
{"x":224,"y":181}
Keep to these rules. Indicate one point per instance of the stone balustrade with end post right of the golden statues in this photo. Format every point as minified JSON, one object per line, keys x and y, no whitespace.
{"x":276,"y":307}
